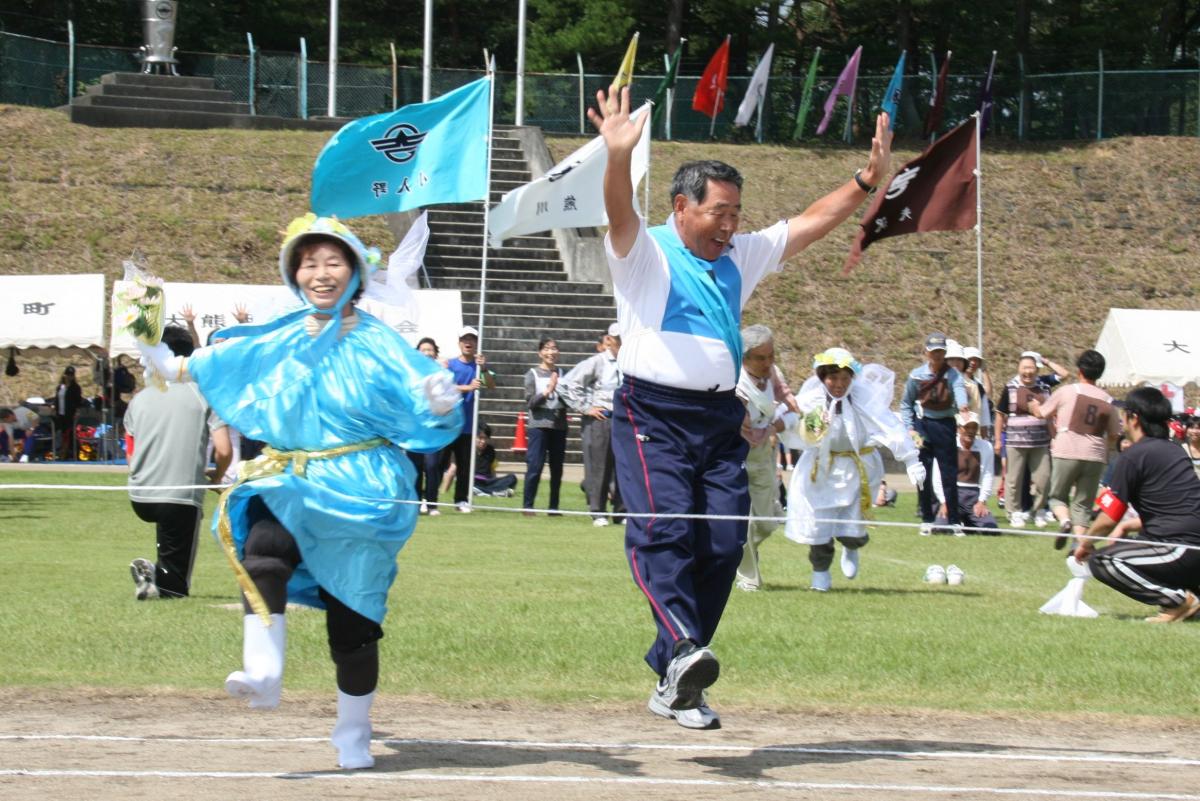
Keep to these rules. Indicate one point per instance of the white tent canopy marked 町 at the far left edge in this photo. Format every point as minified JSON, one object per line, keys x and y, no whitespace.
{"x":52,"y":311}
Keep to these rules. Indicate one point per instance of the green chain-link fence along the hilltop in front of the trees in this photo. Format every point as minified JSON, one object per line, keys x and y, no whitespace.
{"x":1028,"y":107}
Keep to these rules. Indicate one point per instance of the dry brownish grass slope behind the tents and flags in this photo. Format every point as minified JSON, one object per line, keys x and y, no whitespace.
{"x":1069,"y":232}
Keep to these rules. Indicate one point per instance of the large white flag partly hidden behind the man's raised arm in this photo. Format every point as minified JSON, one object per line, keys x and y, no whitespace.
{"x":571,"y":195}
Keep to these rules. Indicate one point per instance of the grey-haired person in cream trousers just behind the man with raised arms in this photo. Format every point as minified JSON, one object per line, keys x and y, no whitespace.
{"x":770,"y":408}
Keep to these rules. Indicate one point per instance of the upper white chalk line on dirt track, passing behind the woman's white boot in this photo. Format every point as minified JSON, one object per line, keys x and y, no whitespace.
{"x":568,"y":745}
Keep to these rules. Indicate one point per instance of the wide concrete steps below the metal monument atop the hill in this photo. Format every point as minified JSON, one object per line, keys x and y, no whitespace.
{"x":151,"y":101}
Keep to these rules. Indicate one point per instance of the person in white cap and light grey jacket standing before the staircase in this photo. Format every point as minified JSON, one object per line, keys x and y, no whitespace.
{"x":589,"y":390}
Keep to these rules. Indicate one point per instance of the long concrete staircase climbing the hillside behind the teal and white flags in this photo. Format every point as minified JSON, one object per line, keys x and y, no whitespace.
{"x":530,"y":297}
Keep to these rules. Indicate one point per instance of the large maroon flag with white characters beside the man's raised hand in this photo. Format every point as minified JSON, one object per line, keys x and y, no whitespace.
{"x":934,"y":192}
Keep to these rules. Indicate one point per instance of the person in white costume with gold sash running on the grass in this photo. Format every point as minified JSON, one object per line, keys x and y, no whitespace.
{"x":847,"y":419}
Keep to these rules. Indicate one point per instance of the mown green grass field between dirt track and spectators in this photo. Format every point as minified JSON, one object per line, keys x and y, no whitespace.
{"x":496,"y":609}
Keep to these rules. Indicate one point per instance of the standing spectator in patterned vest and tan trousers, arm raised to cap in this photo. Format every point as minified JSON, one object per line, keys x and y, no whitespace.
{"x":1025,"y":439}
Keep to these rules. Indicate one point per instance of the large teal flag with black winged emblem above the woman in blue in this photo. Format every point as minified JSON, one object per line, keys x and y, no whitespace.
{"x":412,"y":158}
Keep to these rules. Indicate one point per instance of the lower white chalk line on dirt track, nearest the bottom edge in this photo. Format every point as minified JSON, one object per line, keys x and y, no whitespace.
{"x":767,"y":785}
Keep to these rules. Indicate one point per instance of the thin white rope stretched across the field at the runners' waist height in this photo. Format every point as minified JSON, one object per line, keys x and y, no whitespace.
{"x":657,"y":516}
